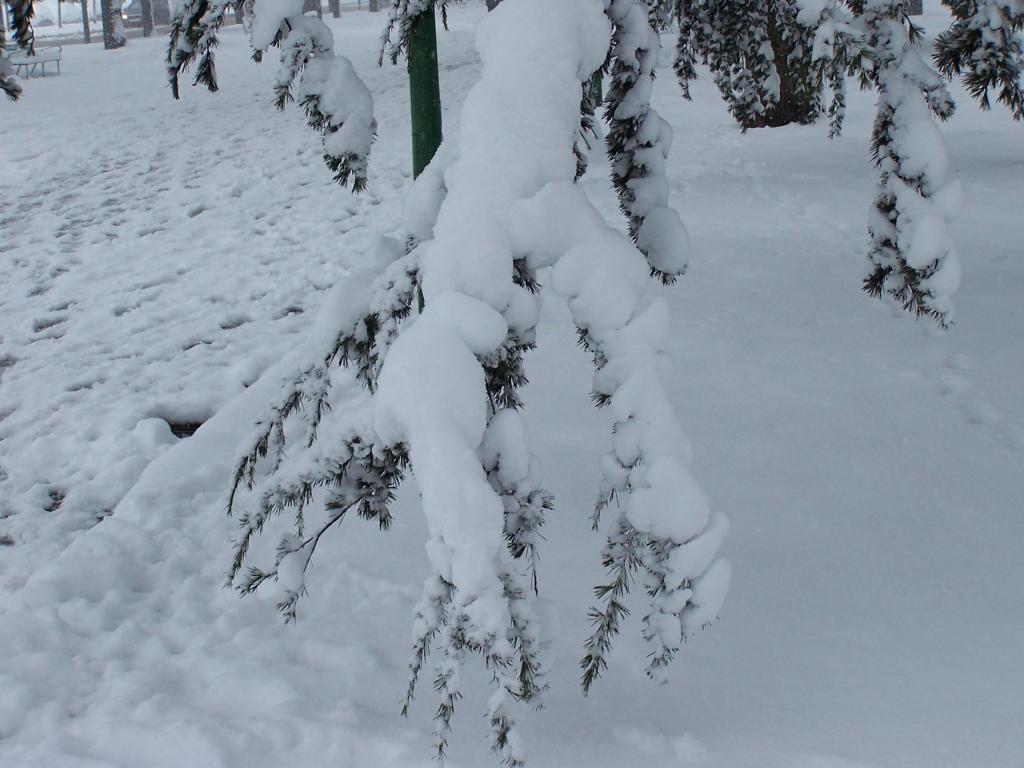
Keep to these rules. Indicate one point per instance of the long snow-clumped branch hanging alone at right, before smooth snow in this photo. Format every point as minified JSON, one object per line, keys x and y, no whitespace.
{"x":912,"y":255}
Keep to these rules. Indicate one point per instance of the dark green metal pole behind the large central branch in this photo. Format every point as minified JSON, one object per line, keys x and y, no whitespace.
{"x":424,"y":91}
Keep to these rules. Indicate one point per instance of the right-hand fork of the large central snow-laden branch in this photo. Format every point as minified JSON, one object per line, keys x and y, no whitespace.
{"x":664,"y":532}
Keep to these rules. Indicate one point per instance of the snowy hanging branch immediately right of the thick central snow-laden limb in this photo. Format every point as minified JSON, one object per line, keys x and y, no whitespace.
{"x":639,"y":140}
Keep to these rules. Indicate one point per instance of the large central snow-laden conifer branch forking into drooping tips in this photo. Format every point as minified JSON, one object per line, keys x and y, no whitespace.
{"x":425,"y":366}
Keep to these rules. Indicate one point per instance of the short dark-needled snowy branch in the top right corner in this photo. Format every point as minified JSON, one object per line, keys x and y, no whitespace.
{"x":985,"y":46}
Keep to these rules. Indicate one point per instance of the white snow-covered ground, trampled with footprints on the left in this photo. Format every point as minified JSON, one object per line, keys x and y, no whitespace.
{"x":158,"y":258}
